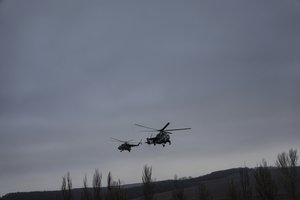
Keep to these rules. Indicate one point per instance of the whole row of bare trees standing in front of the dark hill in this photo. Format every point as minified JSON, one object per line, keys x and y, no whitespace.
{"x":261,"y":184}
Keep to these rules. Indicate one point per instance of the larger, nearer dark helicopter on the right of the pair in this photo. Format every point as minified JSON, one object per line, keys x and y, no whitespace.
{"x":163,"y":135}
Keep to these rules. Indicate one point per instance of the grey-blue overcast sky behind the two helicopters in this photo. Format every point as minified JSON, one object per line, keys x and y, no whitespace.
{"x":75,"y":73}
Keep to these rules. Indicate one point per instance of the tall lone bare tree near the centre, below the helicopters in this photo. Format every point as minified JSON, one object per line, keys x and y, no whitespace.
{"x":148,"y":186}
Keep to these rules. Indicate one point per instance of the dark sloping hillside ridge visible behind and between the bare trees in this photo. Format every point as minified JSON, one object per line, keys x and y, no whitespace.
{"x":216,"y":182}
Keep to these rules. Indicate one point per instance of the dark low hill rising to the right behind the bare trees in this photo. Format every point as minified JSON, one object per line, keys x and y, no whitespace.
{"x":216,"y":182}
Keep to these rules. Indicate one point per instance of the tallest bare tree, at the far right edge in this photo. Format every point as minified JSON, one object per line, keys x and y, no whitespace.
{"x":287,"y":163}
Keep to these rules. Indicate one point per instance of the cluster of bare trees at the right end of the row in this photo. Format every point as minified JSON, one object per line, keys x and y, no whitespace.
{"x":265,"y":185}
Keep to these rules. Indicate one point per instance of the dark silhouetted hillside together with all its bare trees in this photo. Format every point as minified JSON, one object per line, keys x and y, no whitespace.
{"x":279,"y":182}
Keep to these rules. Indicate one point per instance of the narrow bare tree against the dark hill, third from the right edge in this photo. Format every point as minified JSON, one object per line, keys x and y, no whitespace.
{"x":246,"y":190}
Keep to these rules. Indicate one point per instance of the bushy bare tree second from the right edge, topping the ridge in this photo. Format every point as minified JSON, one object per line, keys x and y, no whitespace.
{"x":265,"y":186}
